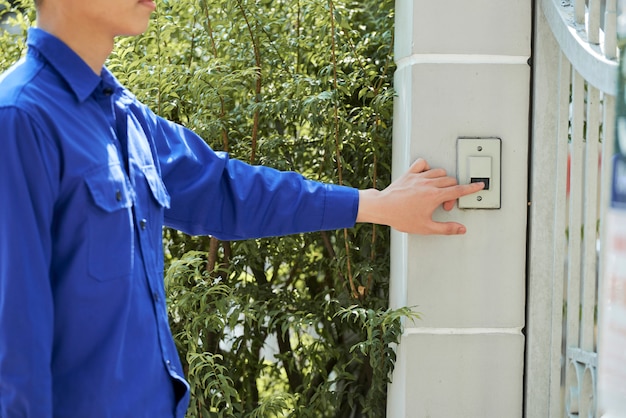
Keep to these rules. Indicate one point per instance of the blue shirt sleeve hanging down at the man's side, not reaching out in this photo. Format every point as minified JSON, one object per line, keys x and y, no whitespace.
{"x":27,"y":195}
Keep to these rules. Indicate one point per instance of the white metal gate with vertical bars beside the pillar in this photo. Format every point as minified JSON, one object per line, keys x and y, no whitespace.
{"x":574,"y":90}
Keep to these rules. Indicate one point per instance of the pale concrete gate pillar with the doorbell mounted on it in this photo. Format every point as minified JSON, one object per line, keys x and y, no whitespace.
{"x":463,"y":72}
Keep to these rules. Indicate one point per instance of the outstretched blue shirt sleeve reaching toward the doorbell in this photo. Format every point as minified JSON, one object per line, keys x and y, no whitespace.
{"x":213,"y":194}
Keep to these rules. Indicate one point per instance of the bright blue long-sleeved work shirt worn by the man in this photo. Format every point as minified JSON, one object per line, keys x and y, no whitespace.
{"x":88,"y":178}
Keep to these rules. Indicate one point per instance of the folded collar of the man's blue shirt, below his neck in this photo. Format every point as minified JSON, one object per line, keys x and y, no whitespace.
{"x":76,"y":73}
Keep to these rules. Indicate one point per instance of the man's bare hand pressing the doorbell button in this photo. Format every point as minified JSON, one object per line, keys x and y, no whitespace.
{"x":409,"y":202}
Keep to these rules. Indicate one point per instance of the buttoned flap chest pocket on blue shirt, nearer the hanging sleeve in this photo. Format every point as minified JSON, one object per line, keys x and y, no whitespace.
{"x":110,"y":224}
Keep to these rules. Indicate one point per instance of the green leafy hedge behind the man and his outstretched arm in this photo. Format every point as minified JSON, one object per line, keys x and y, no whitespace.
{"x":294,"y":326}
